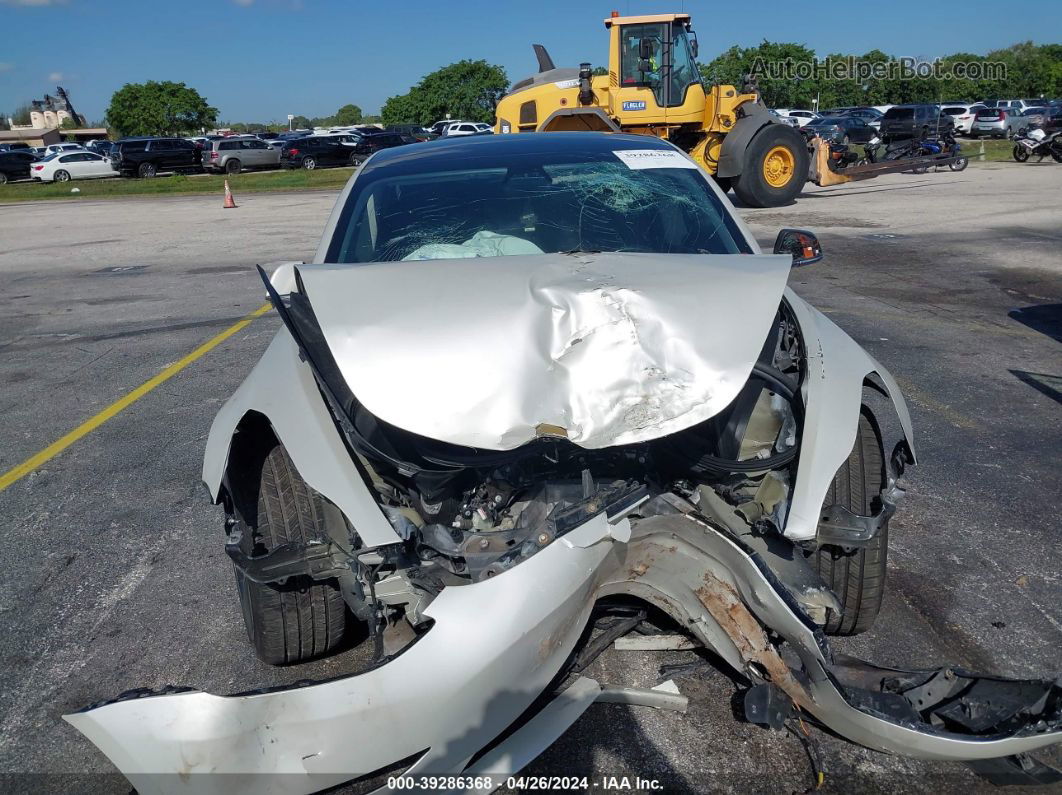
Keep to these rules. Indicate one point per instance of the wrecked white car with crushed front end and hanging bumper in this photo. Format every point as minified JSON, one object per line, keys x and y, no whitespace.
{"x":527,"y":376}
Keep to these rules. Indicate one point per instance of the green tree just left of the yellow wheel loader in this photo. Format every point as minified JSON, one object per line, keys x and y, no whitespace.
{"x":469,"y":90}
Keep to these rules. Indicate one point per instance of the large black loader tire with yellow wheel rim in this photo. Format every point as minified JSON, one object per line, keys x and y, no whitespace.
{"x":775,"y":168}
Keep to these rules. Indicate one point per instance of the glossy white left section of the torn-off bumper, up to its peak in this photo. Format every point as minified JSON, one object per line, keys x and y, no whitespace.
{"x":493,"y":649}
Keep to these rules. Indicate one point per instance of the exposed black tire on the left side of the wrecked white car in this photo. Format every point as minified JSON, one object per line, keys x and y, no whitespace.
{"x":303,"y":618}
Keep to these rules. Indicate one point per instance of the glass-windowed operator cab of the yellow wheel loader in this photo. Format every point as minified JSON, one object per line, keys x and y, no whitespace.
{"x":659,"y":57}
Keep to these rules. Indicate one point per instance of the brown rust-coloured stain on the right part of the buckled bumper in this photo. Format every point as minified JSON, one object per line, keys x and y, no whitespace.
{"x":725,"y":606}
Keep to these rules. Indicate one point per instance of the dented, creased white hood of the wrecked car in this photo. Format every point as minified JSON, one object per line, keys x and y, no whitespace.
{"x":603,"y":349}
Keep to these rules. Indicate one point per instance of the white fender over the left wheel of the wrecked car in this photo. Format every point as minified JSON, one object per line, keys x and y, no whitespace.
{"x":282,"y":387}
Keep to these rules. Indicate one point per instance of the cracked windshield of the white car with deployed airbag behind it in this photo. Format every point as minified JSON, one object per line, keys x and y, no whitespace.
{"x":649,"y":201}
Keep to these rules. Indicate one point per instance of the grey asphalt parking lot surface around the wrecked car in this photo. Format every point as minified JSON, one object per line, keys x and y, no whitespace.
{"x":115,"y":577}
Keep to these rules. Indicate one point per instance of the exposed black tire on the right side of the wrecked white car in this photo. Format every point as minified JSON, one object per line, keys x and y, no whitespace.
{"x":857,"y":577}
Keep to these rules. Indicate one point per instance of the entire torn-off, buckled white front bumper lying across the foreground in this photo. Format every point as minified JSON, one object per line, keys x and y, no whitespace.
{"x":441,"y":706}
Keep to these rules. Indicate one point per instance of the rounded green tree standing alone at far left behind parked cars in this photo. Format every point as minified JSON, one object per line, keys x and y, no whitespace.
{"x":159,"y":109}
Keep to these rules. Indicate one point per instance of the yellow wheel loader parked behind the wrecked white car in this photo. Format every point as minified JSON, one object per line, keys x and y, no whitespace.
{"x":654,"y":88}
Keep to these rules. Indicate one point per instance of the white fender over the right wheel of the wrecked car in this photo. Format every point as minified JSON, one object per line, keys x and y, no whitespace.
{"x":837,"y":369}
